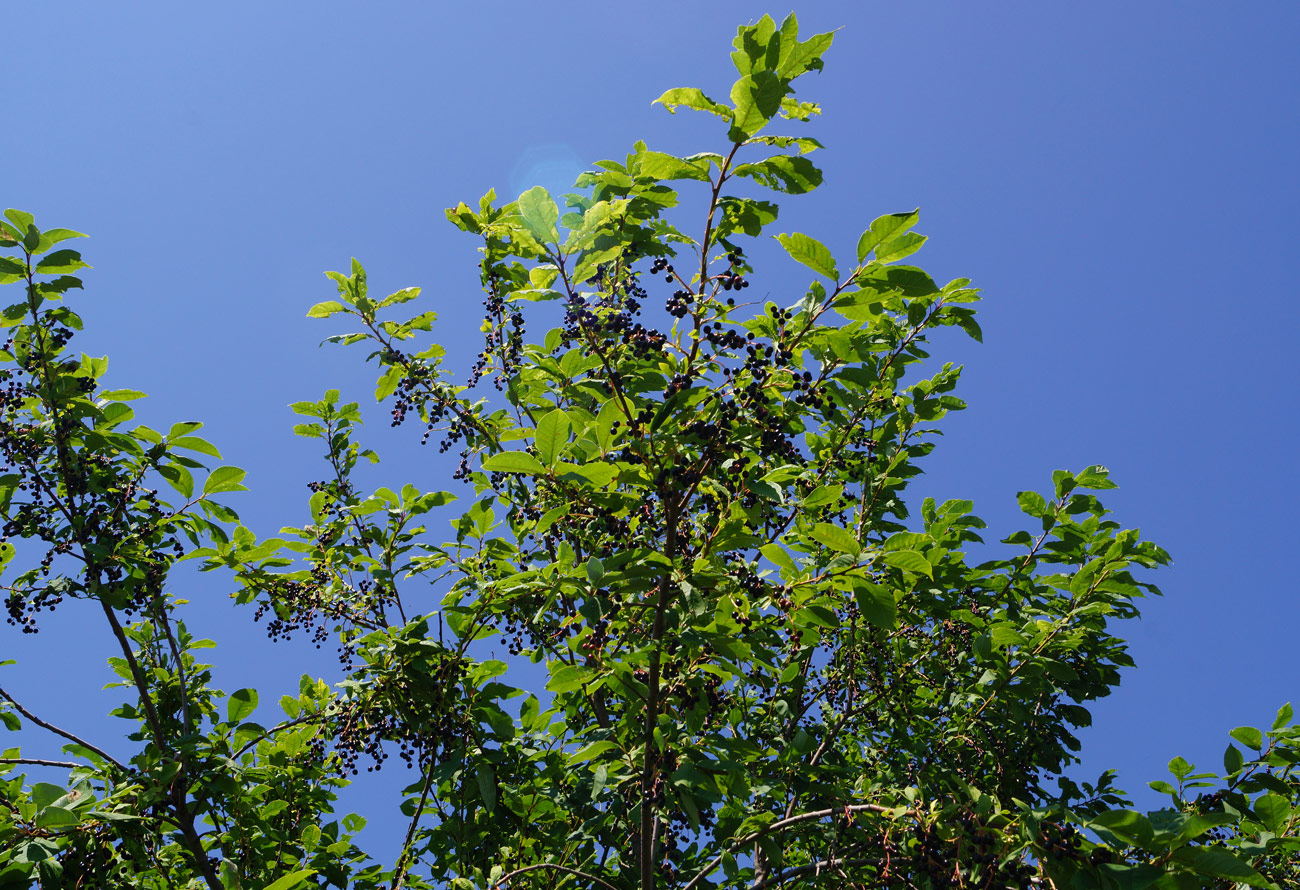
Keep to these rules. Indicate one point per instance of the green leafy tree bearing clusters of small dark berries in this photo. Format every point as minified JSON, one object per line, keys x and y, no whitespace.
{"x":764,"y":666}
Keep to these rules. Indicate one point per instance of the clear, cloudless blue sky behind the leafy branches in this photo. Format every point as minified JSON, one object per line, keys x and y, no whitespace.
{"x":1120,"y":179}
